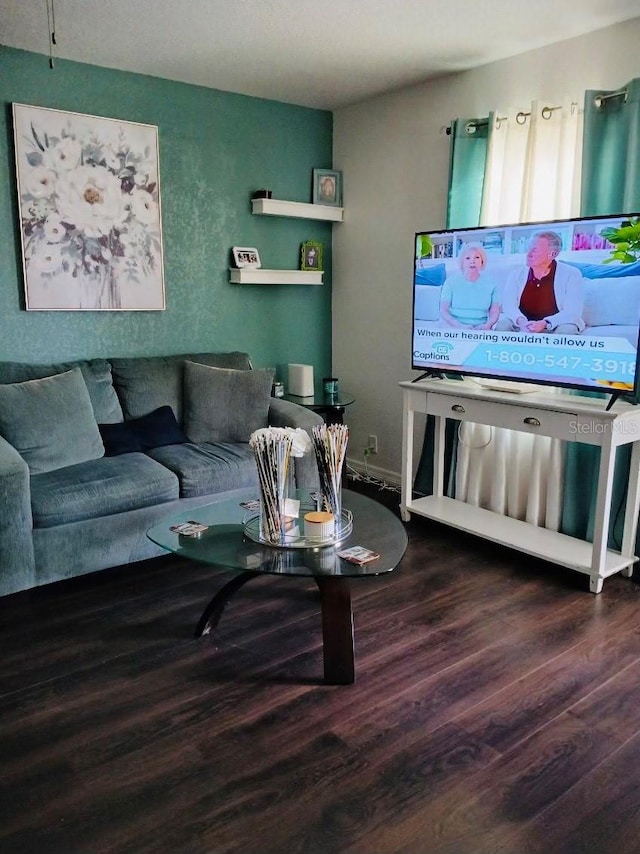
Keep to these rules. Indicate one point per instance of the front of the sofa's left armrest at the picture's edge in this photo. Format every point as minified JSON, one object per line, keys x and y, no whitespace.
{"x":17,"y":562}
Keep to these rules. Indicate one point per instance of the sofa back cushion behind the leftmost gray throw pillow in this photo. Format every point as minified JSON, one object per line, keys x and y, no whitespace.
{"x":97,"y":376}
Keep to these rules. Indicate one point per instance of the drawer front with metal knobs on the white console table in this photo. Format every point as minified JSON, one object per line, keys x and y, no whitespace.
{"x":558,"y":425}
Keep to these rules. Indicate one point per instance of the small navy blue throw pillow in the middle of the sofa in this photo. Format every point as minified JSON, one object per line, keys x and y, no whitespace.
{"x":153,"y":430}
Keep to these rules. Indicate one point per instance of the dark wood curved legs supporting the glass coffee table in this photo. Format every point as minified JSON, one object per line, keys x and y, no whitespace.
{"x":337,"y":622}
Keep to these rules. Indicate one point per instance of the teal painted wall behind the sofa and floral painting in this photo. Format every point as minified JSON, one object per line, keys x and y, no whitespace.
{"x":215,"y":149}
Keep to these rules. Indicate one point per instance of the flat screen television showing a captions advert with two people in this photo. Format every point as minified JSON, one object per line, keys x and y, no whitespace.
{"x":549,"y":303}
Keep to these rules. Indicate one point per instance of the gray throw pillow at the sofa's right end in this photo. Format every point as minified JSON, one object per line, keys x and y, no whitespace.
{"x":224,"y":405}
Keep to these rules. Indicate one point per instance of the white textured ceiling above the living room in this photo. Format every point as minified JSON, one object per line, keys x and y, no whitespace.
{"x":318,"y":53}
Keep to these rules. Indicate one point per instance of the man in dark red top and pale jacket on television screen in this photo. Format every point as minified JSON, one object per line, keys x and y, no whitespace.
{"x":546,"y":295}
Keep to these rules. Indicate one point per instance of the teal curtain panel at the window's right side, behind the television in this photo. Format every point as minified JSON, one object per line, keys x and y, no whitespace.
{"x":610,"y":185}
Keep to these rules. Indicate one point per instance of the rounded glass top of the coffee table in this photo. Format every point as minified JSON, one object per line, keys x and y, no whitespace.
{"x":225,"y":545}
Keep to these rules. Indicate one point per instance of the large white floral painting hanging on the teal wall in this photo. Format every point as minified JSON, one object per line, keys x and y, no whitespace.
{"x":89,"y":200}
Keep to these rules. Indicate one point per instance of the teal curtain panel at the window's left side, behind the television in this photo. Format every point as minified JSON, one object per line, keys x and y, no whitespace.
{"x":467,"y":161}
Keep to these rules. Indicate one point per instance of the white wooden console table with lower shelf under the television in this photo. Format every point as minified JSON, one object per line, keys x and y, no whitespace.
{"x":562,"y":416}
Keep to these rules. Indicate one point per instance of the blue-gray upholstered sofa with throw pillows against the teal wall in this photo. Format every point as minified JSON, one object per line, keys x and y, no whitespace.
{"x":93,"y":453}
